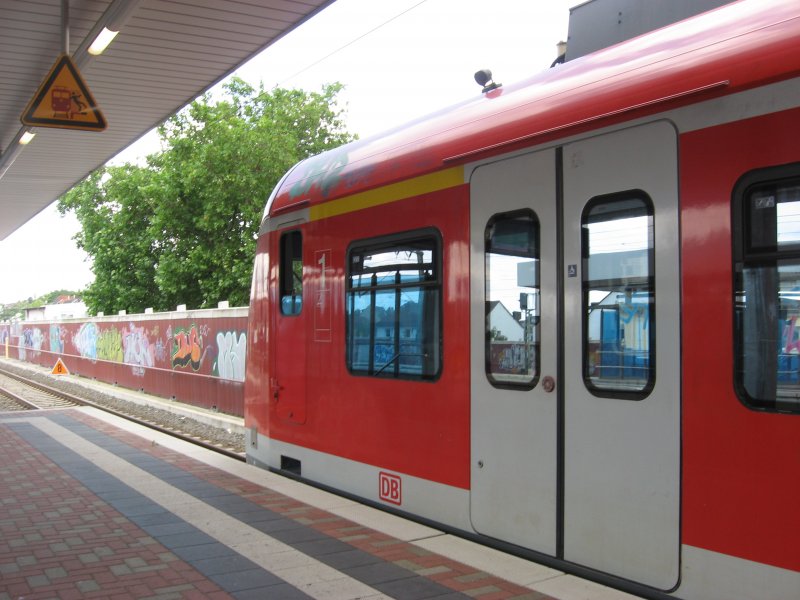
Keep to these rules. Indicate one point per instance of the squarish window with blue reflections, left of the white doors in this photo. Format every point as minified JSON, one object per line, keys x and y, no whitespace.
{"x":393,"y":306}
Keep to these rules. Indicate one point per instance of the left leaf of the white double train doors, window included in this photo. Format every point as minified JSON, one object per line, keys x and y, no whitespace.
{"x":513,"y":336}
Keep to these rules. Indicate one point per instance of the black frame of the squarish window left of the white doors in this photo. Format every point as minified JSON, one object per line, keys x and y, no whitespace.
{"x":391,"y":369}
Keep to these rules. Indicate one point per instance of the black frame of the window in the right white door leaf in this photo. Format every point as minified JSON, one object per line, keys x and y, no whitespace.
{"x":586,"y":286}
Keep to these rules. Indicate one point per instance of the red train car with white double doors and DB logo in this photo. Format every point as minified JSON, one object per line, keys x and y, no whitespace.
{"x":560,"y":317}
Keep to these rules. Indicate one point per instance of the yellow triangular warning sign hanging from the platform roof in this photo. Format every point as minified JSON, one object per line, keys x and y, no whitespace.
{"x":63,"y":100}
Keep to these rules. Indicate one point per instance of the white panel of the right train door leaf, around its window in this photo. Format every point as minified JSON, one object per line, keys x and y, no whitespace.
{"x":622,"y":456}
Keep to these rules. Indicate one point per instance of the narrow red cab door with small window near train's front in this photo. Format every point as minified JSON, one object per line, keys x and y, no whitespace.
{"x":288,"y":380}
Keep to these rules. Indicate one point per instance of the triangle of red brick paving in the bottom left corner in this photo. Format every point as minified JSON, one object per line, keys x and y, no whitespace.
{"x":61,"y":541}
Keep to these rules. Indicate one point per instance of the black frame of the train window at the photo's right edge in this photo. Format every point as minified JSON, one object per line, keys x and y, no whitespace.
{"x":750,"y":253}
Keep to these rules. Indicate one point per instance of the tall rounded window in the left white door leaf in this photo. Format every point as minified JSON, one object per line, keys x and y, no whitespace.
{"x":512,"y":299}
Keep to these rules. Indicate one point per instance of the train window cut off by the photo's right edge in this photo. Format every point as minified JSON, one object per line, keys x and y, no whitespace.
{"x":767,"y":289}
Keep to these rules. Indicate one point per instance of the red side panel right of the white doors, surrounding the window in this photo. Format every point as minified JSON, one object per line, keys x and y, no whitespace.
{"x":736,"y":459}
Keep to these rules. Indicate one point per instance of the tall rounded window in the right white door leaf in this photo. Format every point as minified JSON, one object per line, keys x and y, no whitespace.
{"x":618,"y":296}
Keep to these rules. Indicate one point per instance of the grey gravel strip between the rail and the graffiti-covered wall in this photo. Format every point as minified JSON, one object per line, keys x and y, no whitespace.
{"x":217,"y":436}
